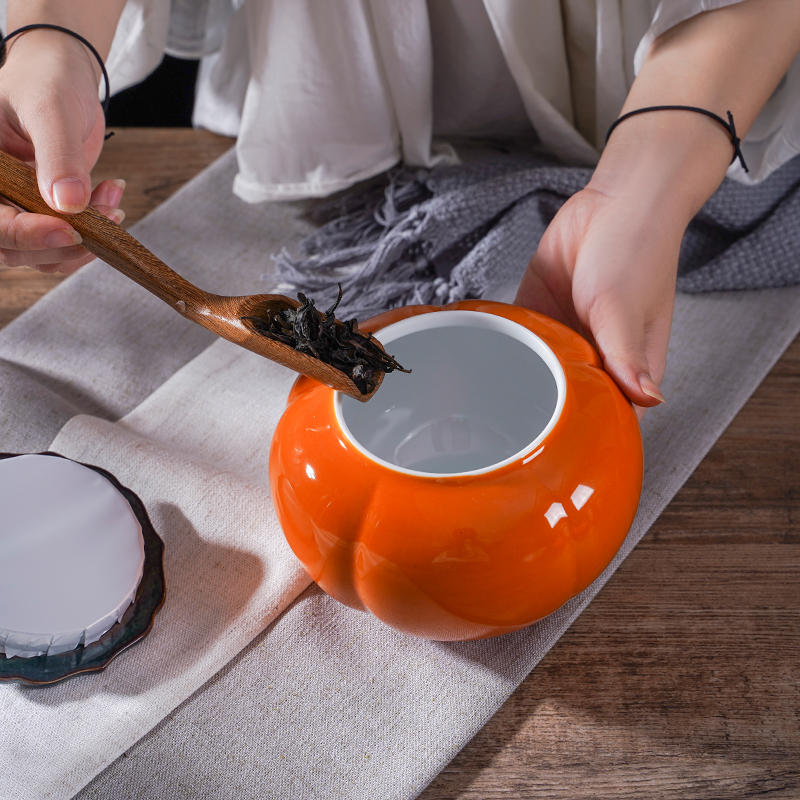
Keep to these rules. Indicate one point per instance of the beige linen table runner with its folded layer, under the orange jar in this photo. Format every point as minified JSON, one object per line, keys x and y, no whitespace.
{"x":326,"y":702}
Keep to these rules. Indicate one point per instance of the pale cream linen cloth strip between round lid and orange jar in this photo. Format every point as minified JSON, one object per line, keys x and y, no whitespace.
{"x":196,"y":454}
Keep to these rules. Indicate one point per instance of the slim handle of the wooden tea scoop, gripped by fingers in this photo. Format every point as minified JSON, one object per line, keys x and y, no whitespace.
{"x":102,"y":237}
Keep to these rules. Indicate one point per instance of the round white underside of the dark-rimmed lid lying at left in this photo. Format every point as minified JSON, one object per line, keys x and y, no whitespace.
{"x":71,"y":555}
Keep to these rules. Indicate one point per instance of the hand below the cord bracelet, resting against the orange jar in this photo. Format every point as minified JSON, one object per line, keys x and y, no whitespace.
{"x":607,"y":263}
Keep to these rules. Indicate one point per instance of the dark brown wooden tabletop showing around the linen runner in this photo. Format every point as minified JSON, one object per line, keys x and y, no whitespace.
{"x":682,"y":678}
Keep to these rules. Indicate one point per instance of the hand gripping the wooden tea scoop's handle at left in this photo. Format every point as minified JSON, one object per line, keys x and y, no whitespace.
{"x":50,"y":117}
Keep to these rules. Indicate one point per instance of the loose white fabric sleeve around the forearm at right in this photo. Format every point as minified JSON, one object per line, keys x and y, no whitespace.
{"x":774,"y":137}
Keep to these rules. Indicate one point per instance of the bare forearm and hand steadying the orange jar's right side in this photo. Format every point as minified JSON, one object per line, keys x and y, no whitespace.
{"x":607,"y":263}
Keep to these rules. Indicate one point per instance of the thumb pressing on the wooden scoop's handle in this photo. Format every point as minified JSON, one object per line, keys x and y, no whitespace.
{"x":61,"y":164}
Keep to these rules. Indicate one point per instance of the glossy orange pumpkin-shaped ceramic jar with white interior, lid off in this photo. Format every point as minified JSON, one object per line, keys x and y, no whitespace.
{"x":472,"y":497}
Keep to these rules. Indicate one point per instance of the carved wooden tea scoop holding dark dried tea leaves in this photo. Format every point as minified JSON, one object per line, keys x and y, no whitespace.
{"x":220,"y":314}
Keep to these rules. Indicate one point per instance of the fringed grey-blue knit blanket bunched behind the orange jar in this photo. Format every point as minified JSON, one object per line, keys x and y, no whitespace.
{"x":451,"y":233}
